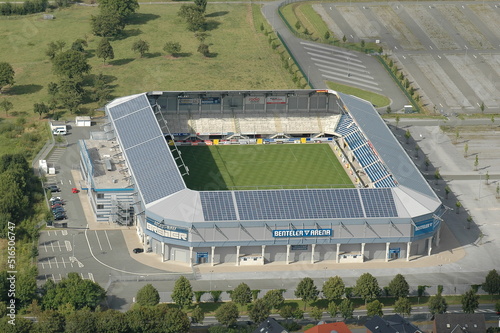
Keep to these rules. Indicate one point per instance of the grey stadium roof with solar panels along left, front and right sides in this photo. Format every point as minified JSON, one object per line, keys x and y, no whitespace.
{"x":164,"y":193}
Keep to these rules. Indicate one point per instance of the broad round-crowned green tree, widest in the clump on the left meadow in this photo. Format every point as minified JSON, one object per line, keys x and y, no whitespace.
{"x":70,"y":64}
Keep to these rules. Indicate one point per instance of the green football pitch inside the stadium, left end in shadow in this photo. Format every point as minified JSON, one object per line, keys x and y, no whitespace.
{"x":252,"y":167}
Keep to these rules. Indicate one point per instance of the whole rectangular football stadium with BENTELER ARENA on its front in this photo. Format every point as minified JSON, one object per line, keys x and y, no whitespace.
{"x":257,"y":177}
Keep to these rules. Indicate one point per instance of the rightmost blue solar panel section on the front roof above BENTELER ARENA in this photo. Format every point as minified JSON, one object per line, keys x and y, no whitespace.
{"x":378,"y":202}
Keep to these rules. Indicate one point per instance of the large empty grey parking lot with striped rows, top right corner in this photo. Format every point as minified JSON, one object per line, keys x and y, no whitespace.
{"x":449,"y":50}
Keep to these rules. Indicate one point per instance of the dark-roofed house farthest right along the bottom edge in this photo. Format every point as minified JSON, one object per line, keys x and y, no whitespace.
{"x":459,"y":323}
